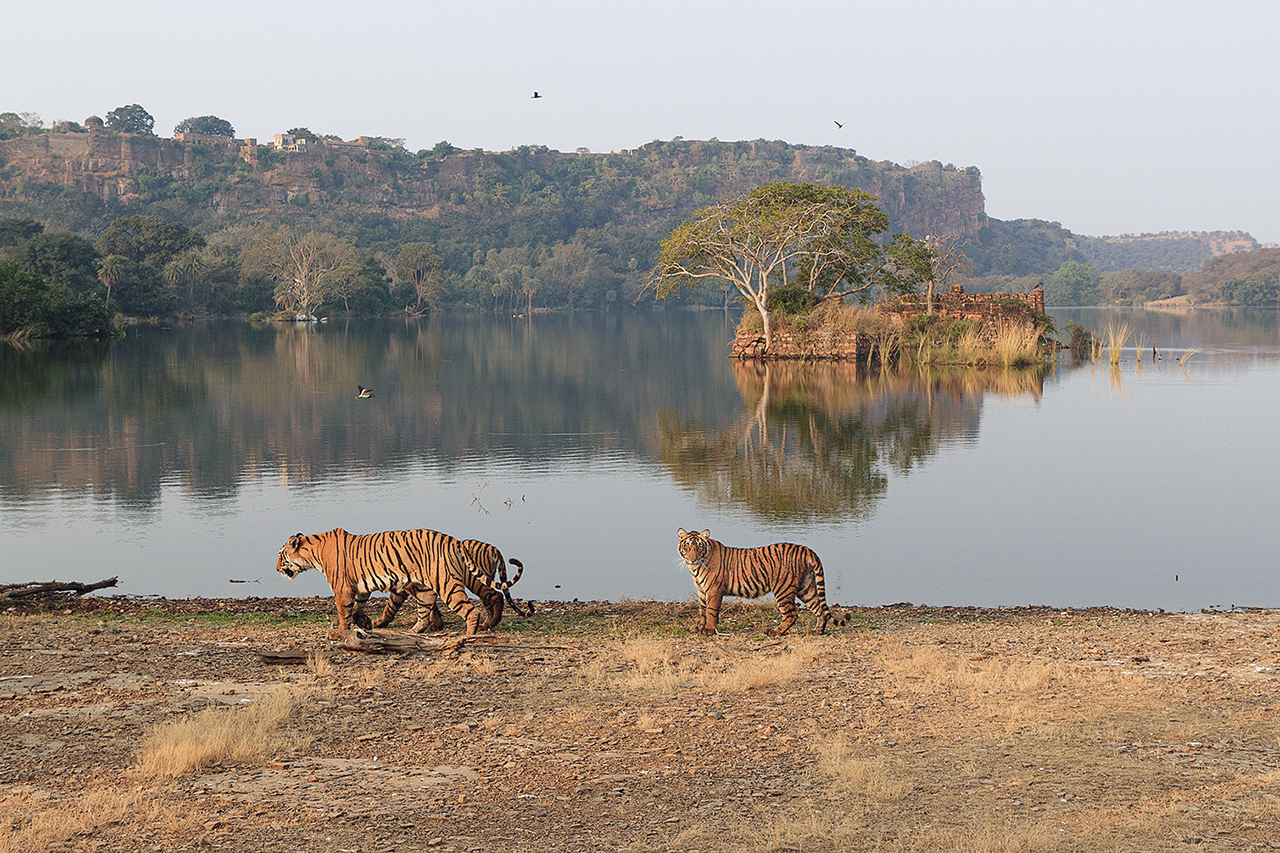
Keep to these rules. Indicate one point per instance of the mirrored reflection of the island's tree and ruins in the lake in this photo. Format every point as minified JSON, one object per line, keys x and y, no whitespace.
{"x":819,"y":441}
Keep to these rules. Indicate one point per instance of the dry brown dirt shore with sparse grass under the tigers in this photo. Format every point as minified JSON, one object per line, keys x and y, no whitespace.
{"x":611,"y":727}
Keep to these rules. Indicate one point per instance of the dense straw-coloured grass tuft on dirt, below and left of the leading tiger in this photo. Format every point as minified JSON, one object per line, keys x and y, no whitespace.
{"x":248,"y":733}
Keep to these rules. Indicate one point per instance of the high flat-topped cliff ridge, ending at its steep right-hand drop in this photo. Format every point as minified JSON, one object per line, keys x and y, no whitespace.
{"x":647,"y":188}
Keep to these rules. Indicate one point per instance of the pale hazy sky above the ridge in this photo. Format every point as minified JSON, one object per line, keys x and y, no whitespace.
{"x":1110,"y":117}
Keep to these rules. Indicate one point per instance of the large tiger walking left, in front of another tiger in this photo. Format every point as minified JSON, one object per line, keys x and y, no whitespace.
{"x":396,"y":562}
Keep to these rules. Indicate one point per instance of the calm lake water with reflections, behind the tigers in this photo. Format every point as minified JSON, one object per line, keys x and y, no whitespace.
{"x":182,"y":459}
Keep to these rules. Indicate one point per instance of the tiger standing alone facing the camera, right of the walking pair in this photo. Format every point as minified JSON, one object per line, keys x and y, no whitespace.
{"x":788,"y":571}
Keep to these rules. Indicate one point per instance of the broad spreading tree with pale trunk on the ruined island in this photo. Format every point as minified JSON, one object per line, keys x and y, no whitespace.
{"x":824,"y":240}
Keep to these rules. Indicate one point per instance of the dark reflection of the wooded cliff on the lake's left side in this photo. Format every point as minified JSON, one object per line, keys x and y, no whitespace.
{"x":211,"y":407}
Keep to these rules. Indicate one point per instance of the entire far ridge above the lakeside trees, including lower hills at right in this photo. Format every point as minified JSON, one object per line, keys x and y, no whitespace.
{"x":620,"y":204}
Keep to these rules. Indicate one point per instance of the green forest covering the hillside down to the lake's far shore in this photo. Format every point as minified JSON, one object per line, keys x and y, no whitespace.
{"x":515,"y":231}
